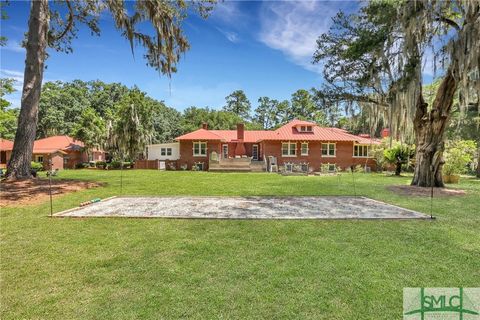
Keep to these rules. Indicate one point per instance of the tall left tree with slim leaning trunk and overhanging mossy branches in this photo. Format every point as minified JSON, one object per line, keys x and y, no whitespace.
{"x":48,"y":27}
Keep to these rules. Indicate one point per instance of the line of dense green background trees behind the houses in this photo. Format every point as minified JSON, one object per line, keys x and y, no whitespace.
{"x":123,"y":120}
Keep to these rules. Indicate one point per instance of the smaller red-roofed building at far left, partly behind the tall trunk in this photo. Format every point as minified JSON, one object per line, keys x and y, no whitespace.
{"x":64,"y":152}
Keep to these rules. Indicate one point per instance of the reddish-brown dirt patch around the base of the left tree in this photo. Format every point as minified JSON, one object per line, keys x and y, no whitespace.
{"x":29,"y":192}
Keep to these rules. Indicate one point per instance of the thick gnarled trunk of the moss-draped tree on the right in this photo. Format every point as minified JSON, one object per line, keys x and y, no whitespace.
{"x":429,"y":128}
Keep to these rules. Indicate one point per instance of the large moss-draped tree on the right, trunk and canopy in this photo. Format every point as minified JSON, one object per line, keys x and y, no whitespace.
{"x":374,"y":59}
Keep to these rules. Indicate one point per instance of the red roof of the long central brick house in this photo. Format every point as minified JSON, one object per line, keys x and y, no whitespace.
{"x":284,"y":133}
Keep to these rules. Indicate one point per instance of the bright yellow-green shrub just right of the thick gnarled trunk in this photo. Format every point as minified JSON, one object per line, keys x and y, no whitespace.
{"x":458,"y":155}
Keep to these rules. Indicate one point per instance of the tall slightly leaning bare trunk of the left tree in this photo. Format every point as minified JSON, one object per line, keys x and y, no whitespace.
{"x":38,"y":24}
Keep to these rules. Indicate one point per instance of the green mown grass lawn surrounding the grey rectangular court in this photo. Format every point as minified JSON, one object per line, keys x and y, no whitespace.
{"x":204,"y":269}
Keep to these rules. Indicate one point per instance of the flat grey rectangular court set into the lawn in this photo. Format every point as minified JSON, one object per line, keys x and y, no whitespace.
{"x":333,"y":207}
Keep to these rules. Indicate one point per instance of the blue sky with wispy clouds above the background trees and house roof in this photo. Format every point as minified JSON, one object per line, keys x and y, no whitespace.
{"x":263,"y":48}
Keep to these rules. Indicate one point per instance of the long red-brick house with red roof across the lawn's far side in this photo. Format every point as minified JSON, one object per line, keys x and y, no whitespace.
{"x":296,"y":143}
